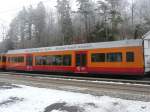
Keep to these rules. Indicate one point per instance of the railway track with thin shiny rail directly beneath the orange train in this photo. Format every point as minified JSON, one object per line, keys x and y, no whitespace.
{"x":145,"y":80}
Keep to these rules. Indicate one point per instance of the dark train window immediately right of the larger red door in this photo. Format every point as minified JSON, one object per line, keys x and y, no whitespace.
{"x":98,"y":57}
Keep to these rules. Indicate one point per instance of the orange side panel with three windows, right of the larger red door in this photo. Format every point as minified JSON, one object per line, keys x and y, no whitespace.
{"x":121,"y":66}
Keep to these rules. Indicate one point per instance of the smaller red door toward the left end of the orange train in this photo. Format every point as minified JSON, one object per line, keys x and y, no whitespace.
{"x":29,"y":62}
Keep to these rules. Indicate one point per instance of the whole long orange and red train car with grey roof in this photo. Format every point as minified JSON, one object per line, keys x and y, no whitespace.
{"x":124,"y":57}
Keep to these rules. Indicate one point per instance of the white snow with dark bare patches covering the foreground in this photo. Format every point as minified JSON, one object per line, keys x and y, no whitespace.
{"x":20,"y":98}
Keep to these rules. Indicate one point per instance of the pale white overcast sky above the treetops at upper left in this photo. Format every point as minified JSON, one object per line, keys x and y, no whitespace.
{"x":10,"y":8}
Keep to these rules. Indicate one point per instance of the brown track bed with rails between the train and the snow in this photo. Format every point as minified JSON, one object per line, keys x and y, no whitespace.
{"x":133,"y":91}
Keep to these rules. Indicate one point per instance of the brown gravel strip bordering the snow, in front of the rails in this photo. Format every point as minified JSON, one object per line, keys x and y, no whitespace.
{"x":75,"y":87}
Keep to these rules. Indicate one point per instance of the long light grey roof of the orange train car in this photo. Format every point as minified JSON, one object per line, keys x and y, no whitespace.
{"x":112,"y":44}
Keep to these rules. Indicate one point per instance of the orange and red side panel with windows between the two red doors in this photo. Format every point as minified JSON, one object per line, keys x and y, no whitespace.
{"x":42,"y":61}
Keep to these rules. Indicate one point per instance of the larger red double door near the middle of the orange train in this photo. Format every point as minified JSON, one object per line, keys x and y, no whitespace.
{"x":81,"y":62}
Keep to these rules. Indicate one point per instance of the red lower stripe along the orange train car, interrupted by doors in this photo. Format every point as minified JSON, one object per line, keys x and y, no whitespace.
{"x":96,"y":70}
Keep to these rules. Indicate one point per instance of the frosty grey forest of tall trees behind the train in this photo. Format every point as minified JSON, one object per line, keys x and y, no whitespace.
{"x":92,"y":21}
